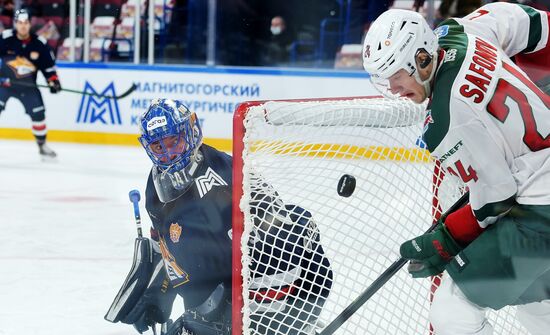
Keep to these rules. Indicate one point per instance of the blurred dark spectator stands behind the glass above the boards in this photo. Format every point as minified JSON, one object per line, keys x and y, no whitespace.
{"x":310,"y":33}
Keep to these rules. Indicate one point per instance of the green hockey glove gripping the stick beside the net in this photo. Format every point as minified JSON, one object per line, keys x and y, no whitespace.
{"x":430,"y":253}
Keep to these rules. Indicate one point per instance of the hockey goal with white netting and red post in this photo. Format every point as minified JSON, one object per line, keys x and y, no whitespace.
{"x":301,"y":148}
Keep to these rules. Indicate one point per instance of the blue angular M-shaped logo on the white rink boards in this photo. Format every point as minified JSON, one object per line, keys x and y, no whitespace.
{"x":98,"y":108}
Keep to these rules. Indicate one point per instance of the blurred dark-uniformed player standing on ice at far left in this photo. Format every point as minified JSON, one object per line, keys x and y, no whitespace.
{"x":24,"y":53}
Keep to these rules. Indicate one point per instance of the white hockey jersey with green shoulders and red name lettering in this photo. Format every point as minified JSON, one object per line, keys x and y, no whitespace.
{"x":487,"y":122}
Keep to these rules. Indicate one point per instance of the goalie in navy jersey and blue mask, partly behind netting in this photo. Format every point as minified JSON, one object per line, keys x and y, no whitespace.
{"x":189,"y":201}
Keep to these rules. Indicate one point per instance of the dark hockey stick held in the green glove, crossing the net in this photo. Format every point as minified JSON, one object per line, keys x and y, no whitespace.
{"x":384,"y":277}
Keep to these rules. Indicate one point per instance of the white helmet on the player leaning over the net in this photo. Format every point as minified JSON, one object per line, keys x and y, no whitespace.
{"x":395,"y":41}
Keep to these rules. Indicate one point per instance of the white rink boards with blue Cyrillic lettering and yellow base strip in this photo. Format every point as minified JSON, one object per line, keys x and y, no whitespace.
{"x":213,"y":93}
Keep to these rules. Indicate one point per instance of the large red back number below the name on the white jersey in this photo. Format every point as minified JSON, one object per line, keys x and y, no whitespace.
{"x":499,"y":107}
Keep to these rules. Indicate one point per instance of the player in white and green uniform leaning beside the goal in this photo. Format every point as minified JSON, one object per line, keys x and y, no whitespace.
{"x":489,"y":124}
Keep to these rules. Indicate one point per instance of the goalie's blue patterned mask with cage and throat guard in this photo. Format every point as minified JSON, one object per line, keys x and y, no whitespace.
{"x":171,"y":136}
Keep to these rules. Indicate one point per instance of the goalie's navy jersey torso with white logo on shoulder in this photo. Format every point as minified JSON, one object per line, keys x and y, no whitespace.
{"x":195,"y":230}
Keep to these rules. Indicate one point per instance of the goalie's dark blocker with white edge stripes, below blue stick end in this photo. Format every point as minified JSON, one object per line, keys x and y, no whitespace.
{"x":146,"y":296}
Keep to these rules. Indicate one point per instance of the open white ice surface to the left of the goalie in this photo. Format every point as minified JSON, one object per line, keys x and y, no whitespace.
{"x":67,"y":233}
